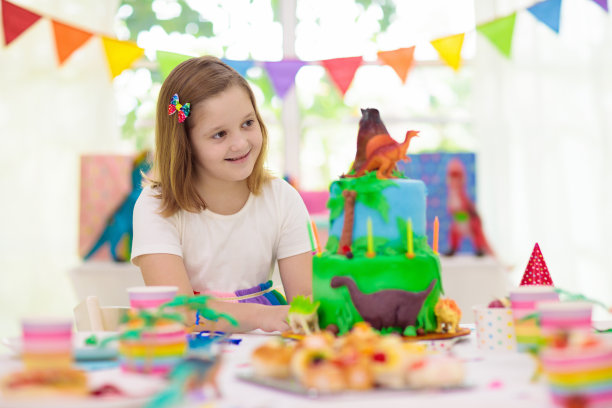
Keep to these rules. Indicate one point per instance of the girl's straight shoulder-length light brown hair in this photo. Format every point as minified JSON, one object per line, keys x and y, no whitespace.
{"x":194,"y":80}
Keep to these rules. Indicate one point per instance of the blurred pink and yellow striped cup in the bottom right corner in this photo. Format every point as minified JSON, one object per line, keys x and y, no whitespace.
{"x":580,"y":376}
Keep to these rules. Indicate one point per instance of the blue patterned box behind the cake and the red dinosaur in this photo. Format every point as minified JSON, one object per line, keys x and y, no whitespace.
{"x":433,"y":169}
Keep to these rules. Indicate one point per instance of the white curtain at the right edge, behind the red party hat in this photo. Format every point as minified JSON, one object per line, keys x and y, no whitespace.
{"x":543,"y":119}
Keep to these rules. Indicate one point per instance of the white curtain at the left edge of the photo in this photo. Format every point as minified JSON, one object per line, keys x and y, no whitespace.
{"x":49,"y":116}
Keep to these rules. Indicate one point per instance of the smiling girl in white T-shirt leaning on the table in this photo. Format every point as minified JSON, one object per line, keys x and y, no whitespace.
{"x":212,"y":220}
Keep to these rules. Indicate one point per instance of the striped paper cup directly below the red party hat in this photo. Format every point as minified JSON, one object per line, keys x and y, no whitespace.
{"x":524,"y":300}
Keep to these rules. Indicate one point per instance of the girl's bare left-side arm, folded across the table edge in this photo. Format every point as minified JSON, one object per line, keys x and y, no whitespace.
{"x":167,"y":269}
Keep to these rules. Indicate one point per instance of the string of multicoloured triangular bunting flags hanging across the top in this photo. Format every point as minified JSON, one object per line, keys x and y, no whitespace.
{"x":122,"y":55}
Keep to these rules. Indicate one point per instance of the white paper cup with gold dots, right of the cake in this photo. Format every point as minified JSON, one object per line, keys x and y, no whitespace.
{"x":494,"y":329}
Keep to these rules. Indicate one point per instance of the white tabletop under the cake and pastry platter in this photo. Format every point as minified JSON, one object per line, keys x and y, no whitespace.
{"x":497,"y":380}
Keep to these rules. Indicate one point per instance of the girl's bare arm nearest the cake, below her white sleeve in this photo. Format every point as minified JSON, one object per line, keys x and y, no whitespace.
{"x":296,"y":274}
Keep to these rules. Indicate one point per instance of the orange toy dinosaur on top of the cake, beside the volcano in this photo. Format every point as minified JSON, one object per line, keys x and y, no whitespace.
{"x":382,"y":153}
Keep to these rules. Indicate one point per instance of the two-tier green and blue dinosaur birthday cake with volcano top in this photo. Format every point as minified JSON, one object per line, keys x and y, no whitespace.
{"x":377,"y":265}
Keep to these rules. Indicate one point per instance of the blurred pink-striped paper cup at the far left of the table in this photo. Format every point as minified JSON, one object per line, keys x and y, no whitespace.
{"x":46,"y":343}
